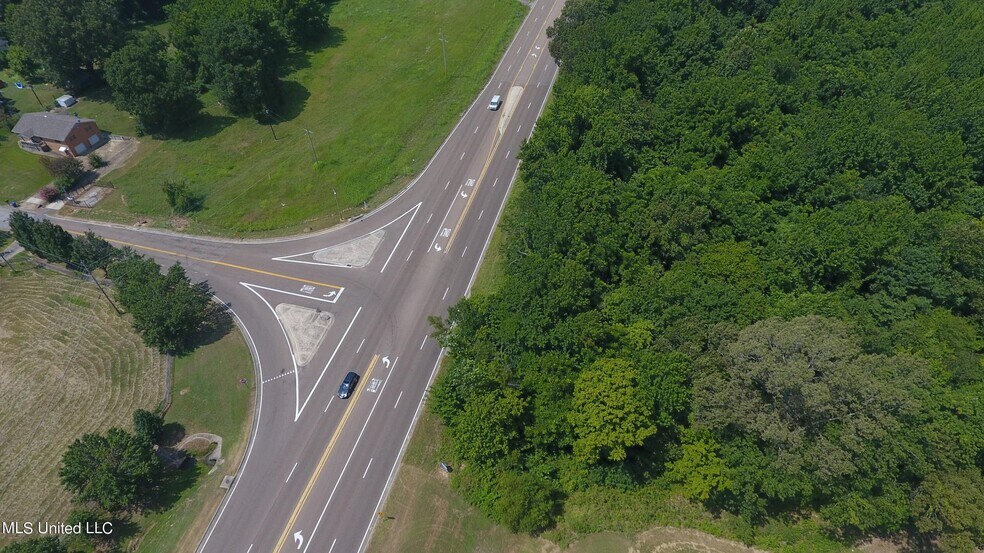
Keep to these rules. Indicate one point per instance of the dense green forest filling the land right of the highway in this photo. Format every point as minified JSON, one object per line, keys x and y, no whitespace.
{"x":746,"y":267}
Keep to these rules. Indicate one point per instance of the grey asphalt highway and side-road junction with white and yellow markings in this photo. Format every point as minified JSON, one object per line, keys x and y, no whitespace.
{"x":318,"y":468}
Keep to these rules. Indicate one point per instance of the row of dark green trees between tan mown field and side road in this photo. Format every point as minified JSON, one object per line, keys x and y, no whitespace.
{"x":167,"y":309}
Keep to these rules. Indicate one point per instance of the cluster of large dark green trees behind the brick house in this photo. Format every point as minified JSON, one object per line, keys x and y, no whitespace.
{"x":238,"y":50}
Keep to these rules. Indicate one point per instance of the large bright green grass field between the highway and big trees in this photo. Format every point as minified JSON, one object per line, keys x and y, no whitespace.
{"x":375,"y":100}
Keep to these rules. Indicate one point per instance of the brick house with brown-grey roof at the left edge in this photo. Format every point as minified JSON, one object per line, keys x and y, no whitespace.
{"x":66,"y":134}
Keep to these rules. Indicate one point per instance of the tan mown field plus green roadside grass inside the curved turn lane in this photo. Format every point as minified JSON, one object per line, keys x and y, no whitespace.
{"x":69,"y":365}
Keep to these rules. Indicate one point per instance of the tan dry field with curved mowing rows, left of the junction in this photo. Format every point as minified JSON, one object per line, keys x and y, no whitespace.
{"x":68,"y":366}
